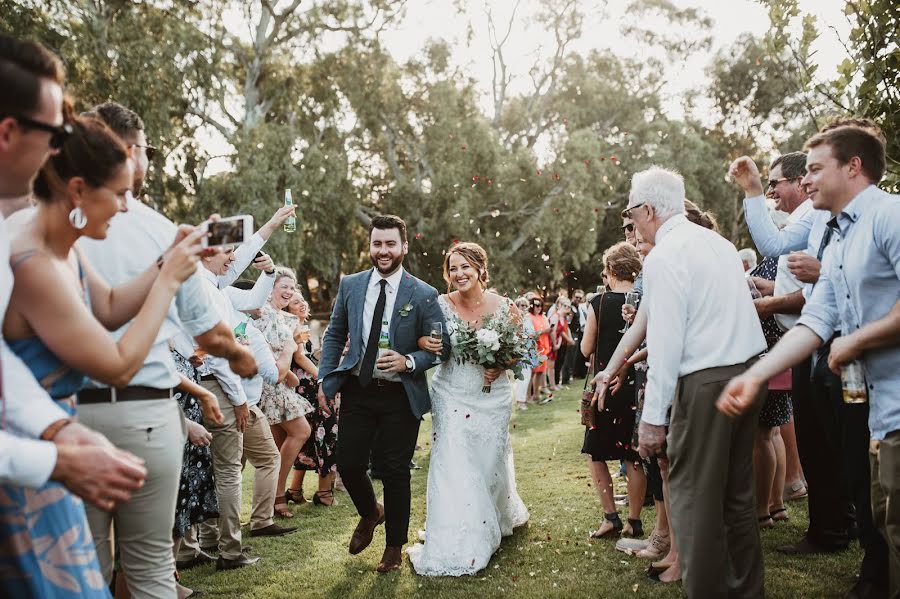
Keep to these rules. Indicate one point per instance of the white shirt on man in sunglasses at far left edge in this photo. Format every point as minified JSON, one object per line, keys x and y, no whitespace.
{"x":29,"y":410}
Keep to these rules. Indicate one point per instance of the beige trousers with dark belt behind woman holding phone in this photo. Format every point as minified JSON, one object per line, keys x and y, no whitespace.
{"x":153,"y":430}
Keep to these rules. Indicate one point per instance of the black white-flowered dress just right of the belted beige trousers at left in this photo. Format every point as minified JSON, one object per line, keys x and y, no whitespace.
{"x":197,"y":499}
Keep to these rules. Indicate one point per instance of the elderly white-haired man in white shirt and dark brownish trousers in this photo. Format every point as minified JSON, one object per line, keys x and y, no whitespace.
{"x":702,"y":330}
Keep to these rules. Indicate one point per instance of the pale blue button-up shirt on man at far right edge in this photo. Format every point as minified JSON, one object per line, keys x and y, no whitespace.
{"x":860,"y":283}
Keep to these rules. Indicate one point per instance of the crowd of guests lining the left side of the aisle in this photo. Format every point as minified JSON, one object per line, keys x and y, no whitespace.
{"x":111,"y":312}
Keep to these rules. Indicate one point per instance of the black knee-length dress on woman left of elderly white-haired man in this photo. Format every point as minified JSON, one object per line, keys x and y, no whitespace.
{"x":613,"y":437}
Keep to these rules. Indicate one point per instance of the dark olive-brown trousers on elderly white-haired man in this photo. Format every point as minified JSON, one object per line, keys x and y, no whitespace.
{"x":712,"y":489}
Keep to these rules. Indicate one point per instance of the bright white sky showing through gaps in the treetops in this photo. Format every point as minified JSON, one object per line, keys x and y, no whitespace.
{"x":426,"y":19}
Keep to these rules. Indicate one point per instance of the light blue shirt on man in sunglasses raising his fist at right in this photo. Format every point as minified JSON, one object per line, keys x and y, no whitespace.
{"x":804,"y":234}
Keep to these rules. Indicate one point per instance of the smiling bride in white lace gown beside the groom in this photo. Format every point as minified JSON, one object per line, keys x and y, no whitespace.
{"x":472,"y":498}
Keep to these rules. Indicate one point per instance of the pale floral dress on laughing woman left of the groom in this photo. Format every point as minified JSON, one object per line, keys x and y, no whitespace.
{"x":278,"y":402}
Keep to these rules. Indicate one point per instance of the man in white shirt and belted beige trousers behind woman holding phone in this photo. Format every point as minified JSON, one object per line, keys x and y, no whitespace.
{"x":135,"y":240}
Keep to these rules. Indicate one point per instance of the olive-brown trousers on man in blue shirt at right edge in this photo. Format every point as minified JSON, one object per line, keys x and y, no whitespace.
{"x":884,"y":457}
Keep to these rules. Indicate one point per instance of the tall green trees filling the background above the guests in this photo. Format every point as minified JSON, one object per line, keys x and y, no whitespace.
{"x":306,"y":96}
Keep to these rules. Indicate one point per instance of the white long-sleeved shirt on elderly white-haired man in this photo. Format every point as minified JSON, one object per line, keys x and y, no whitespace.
{"x":699,"y":310}
